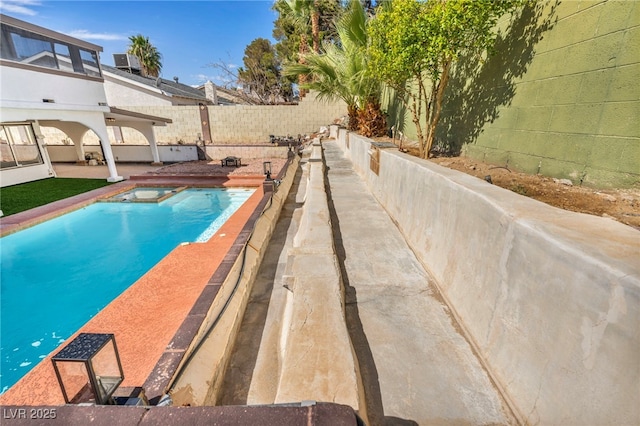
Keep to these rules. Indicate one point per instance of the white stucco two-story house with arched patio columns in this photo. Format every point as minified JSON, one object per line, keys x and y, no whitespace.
{"x":48,"y":79}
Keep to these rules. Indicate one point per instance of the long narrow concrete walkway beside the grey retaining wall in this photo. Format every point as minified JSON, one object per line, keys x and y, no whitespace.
{"x":416,"y":367}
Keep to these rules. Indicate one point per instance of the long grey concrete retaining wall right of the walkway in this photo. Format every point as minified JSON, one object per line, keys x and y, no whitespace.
{"x":549,"y":298}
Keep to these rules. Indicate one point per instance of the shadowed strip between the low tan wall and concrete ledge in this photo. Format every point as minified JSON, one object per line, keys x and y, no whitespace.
{"x":239,"y":374}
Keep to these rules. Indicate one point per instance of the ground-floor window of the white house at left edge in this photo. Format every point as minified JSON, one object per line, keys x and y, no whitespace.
{"x":18,"y":146}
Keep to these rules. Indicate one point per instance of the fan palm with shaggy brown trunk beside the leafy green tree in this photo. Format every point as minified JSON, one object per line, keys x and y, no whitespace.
{"x":341,"y":72}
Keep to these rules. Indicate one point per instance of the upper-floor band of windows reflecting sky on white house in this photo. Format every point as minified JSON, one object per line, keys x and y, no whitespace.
{"x":26,"y":47}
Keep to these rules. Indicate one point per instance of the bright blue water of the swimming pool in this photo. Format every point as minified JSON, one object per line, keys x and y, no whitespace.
{"x":56,"y":275}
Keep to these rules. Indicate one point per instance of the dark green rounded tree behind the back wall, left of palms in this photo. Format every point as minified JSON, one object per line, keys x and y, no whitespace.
{"x":261,"y":72}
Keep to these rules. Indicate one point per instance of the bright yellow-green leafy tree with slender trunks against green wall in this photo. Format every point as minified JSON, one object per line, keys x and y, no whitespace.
{"x":415,"y":43}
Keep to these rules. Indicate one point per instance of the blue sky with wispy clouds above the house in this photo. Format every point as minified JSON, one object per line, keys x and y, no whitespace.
{"x":189,"y":34}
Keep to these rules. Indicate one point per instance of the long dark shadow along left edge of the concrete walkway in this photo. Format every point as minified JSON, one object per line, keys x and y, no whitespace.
{"x":362,"y":349}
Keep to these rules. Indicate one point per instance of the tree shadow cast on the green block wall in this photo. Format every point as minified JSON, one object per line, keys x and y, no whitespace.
{"x":479,"y":87}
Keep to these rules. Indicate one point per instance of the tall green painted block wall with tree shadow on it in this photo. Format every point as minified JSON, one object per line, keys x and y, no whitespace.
{"x":560,"y":97}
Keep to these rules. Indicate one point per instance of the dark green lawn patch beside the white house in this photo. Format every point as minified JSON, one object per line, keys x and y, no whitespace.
{"x":18,"y":198}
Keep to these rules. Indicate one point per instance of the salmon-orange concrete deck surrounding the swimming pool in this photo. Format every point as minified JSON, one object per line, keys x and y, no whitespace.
{"x":146,"y":316}
